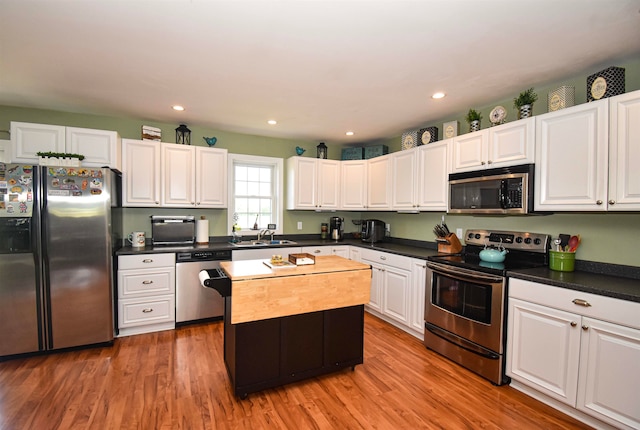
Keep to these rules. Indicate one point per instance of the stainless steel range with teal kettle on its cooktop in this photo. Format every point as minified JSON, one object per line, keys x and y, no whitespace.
{"x":465,"y":301}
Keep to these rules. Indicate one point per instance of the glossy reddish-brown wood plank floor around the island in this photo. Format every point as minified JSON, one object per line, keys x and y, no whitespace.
{"x":177,"y":380}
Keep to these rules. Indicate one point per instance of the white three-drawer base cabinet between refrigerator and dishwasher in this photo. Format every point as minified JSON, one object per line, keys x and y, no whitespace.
{"x":146,"y":293}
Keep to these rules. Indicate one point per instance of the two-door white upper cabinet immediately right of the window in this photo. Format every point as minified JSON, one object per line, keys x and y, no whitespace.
{"x":313,"y":184}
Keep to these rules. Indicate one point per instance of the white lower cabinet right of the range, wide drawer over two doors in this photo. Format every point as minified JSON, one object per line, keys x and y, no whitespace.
{"x":580,"y":351}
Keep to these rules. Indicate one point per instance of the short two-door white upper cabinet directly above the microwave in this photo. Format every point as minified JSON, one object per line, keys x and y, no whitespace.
{"x":503,"y":145}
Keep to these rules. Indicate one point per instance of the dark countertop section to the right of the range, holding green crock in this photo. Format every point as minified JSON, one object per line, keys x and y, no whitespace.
{"x":596,"y":283}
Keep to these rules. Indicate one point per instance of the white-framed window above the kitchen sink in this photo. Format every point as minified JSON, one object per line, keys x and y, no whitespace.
{"x":256,"y":192}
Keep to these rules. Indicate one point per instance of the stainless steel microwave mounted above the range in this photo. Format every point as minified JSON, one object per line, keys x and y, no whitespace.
{"x":503,"y":191}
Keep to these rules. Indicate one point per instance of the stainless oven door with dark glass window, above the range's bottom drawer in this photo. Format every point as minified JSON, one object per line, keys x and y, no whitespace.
{"x":467,"y":303}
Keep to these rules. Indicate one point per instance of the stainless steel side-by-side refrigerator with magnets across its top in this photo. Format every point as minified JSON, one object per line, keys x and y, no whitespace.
{"x":56,"y":277}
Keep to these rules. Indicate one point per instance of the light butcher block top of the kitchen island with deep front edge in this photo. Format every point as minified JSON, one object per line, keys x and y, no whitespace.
{"x":259,"y":292}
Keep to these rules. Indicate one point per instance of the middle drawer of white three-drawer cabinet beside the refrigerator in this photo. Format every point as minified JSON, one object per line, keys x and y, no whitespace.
{"x":136,"y":283}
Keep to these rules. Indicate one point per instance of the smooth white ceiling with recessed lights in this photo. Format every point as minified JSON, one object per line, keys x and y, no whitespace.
{"x":319,"y":68}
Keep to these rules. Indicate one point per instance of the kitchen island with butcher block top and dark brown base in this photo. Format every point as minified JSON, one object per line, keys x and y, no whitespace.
{"x":287,"y":324}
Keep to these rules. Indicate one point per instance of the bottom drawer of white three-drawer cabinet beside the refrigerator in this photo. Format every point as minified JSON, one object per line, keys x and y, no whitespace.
{"x":137,"y":312}
